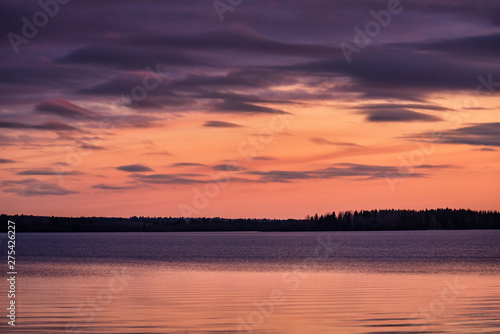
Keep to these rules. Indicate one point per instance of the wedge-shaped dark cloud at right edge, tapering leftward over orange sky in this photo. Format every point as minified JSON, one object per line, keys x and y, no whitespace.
{"x":481,"y":134}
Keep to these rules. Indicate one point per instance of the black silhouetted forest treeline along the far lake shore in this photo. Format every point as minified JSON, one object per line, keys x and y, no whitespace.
{"x":374,"y":220}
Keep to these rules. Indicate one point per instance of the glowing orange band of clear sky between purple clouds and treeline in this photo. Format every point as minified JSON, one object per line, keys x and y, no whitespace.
{"x":468,"y":180}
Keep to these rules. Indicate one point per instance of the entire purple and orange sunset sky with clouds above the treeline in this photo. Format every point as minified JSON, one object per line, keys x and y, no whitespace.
{"x":234,"y":108}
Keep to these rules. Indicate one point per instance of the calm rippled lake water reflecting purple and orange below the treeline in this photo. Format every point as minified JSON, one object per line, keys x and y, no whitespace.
{"x":327,"y":282}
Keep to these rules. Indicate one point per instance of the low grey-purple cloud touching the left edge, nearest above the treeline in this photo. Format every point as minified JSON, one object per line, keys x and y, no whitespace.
{"x":33,"y":187}
